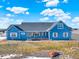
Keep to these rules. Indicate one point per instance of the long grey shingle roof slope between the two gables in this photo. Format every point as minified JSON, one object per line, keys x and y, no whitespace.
{"x":35,"y":26}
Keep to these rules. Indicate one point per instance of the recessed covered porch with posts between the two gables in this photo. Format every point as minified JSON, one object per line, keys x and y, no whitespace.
{"x":37,"y":35}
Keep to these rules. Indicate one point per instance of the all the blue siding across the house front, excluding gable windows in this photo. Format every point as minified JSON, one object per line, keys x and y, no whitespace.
{"x":21,"y":35}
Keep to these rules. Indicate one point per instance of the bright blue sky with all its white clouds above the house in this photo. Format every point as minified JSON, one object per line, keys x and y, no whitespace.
{"x":16,"y":12}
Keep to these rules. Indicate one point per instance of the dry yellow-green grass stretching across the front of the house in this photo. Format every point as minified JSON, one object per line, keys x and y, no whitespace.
{"x":27,"y":47}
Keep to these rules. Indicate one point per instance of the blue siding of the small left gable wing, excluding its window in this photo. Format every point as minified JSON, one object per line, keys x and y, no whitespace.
{"x":18,"y":31}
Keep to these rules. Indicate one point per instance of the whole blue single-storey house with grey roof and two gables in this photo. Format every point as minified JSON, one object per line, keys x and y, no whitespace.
{"x":39,"y":31}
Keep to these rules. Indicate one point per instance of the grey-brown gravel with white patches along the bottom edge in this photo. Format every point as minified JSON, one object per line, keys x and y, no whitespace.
{"x":36,"y":55}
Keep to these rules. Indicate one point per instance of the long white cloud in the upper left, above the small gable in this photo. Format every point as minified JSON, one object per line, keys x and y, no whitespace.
{"x":18,"y":10}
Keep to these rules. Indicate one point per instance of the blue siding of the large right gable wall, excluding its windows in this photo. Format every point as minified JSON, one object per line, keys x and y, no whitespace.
{"x":60,"y":33}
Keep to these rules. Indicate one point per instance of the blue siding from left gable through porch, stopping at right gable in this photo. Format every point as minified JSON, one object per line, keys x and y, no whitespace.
{"x":21,"y":35}
